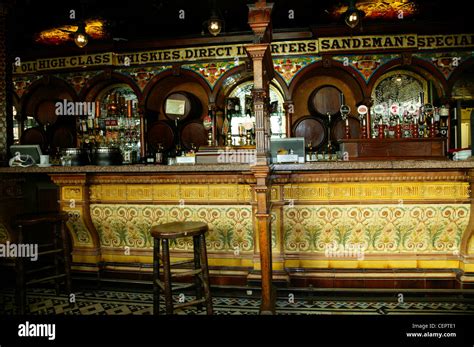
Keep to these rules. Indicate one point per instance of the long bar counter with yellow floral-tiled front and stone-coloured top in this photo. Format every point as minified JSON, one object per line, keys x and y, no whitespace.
{"x":334,"y":224}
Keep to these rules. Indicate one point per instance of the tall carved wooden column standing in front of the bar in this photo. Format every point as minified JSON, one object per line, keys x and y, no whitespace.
{"x":260,"y":55}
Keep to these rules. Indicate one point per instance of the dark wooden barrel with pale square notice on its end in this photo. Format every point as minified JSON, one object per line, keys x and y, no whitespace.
{"x":182,"y":105}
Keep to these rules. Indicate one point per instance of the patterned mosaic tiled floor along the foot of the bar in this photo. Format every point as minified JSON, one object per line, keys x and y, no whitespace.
{"x":112,"y":302}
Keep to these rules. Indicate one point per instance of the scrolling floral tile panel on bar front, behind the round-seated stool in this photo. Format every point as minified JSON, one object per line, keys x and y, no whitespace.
{"x":230,"y":227}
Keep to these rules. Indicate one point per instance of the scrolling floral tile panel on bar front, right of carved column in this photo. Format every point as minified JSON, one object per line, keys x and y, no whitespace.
{"x":377,"y":228}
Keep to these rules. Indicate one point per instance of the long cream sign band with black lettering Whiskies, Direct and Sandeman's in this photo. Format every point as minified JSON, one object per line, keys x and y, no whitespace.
{"x":226,"y":52}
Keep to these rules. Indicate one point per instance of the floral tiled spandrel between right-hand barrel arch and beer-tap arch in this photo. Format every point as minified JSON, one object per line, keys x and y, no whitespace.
{"x":365,"y":65}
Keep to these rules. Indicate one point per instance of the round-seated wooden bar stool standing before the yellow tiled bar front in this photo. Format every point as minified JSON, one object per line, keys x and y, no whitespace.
{"x":175,"y":230}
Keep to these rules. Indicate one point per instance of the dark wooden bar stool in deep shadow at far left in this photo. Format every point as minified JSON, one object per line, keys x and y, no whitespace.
{"x":59,"y":249}
